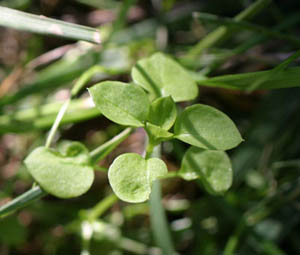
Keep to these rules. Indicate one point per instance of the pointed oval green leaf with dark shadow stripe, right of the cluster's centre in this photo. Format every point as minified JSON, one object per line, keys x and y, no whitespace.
{"x":206,"y":127}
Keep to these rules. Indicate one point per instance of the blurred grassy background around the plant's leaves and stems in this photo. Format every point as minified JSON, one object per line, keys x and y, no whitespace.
{"x":258,"y":215}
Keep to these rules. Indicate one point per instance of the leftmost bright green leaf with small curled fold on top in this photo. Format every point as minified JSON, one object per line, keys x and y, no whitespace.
{"x":63,"y":174}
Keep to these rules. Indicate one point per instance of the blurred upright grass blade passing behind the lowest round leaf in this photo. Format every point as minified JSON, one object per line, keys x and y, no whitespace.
{"x":159,"y":223}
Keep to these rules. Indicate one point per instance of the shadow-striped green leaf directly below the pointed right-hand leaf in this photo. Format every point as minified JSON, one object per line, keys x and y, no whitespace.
{"x":213,"y":168}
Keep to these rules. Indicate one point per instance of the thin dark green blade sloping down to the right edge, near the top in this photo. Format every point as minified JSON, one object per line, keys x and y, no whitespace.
{"x":244,"y":25}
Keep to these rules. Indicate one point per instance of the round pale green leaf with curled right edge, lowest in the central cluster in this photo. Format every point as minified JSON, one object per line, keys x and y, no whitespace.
{"x":131,"y":176}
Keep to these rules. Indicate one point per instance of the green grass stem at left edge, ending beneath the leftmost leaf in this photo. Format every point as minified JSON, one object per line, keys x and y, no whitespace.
{"x":21,"y":201}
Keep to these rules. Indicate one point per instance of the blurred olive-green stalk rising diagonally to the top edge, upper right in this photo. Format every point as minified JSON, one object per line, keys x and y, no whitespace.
{"x":222,"y":32}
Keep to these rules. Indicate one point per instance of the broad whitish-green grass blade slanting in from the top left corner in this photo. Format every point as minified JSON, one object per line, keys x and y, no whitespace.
{"x":42,"y":25}
